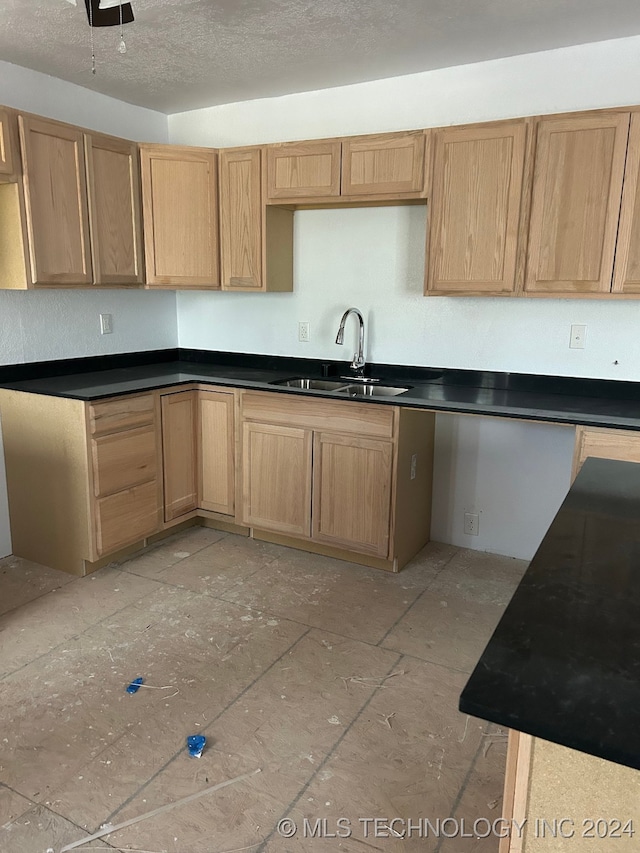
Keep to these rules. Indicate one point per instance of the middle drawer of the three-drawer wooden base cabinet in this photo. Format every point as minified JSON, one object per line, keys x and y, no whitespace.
{"x":124,"y":459}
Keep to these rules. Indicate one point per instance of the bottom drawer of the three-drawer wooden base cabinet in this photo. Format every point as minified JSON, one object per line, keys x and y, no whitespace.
{"x":126,"y":517}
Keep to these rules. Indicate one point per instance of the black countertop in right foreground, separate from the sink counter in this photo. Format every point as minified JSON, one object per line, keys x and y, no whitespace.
{"x":564,"y":662}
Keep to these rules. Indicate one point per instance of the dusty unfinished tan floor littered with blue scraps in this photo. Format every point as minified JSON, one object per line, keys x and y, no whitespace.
{"x":339,"y":683}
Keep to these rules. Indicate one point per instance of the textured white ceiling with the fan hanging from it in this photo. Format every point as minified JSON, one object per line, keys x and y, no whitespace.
{"x":185,"y":54}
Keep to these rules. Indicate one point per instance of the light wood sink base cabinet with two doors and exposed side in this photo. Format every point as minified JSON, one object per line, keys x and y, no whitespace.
{"x":341,"y":477}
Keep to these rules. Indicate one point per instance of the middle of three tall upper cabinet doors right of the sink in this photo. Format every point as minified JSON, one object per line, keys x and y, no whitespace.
{"x":577,"y":189}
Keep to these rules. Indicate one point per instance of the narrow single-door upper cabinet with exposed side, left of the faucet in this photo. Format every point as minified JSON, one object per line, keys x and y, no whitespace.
{"x":256,"y":241}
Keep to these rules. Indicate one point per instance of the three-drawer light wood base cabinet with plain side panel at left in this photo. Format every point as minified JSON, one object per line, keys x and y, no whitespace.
{"x":83,"y":478}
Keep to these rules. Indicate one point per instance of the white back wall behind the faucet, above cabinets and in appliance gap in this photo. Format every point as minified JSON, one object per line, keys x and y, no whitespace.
{"x":514,"y":475}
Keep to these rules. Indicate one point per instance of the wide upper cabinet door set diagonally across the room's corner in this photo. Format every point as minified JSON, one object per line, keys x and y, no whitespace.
{"x":180,"y":212}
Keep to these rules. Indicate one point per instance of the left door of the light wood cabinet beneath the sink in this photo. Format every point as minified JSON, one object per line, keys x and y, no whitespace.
{"x":276,"y":478}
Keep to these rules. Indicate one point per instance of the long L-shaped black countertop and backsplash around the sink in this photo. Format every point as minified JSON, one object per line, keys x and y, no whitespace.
{"x":528,"y":396}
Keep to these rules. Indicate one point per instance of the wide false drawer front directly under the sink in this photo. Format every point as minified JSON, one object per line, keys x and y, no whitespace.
{"x":334,"y":415}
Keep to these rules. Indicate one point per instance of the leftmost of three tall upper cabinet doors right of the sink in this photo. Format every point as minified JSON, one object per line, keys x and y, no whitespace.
{"x":475,"y":209}
